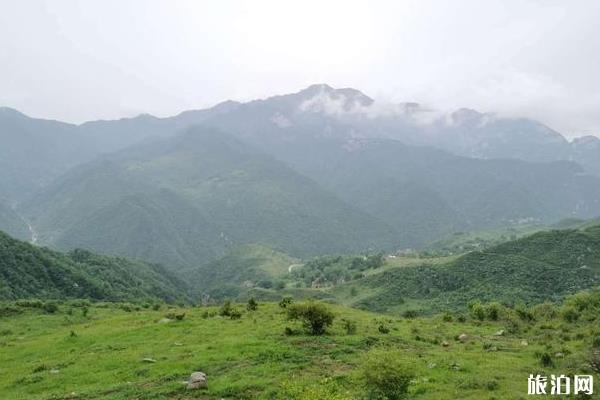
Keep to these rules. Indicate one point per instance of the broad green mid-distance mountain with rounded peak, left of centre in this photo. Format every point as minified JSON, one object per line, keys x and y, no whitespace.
{"x":185,"y":200}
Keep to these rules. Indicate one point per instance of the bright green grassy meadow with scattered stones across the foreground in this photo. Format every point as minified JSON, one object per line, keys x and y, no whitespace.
{"x":112,"y":353}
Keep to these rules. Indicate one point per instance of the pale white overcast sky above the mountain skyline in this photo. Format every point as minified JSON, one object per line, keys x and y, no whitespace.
{"x":83,"y":60}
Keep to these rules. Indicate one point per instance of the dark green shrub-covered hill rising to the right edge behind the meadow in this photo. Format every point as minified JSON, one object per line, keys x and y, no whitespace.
{"x":545,"y":266}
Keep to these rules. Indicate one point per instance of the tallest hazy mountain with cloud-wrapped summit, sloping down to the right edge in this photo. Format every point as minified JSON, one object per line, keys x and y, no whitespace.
{"x":425,"y":193}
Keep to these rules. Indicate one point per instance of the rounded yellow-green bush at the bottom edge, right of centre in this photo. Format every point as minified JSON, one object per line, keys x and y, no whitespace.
{"x":385,"y":375}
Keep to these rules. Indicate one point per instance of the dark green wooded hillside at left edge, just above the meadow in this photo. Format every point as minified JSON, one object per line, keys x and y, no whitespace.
{"x":28,"y":271}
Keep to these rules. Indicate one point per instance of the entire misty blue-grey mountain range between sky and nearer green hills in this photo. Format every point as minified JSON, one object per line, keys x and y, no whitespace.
{"x":320,"y":171}
